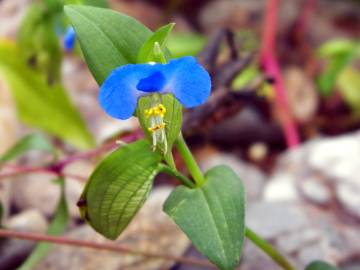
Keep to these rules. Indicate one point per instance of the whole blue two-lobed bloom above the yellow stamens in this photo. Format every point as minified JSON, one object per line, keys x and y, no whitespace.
{"x":185,"y":78}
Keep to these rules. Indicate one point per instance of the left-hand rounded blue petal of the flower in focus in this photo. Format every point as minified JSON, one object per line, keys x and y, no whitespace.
{"x":118,"y":94}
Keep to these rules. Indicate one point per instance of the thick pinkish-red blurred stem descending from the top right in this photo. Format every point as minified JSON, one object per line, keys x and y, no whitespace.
{"x":272,"y":69}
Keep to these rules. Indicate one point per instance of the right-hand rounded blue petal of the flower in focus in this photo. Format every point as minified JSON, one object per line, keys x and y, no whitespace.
{"x":187,"y":80}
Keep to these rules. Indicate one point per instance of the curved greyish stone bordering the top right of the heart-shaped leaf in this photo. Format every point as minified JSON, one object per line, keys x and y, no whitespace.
{"x":252,"y":178}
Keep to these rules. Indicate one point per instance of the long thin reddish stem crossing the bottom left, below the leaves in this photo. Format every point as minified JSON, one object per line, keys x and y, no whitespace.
{"x":100,"y":246}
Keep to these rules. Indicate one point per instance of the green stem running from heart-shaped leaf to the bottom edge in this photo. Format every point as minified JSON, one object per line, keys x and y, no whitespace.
{"x":268,"y":249}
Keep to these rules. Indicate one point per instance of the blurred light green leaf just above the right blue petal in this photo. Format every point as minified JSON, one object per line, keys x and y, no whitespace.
{"x":185,"y":44}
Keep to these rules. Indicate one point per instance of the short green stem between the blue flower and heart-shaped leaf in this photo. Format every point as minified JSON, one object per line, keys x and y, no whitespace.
{"x":189,"y":160}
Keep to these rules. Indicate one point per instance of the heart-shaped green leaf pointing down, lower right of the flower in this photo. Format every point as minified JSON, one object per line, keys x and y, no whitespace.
{"x":212,"y":216}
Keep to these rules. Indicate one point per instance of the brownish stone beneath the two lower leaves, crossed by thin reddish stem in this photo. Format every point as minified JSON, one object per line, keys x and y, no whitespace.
{"x":151,"y":230}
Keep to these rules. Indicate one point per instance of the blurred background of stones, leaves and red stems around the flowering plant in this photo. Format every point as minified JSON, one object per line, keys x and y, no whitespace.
{"x":284,"y":114}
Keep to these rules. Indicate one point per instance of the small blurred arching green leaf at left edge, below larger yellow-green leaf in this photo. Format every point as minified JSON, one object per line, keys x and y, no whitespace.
{"x":27,"y":143}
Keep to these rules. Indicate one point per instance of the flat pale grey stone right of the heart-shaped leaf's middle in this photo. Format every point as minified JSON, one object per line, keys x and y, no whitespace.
{"x":272,"y":219}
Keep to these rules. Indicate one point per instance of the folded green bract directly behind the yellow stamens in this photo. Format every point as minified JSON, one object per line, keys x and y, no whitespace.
{"x":172,"y":118}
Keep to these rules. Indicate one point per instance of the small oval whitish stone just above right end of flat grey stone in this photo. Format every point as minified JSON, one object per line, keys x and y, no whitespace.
{"x":315,"y":191}
